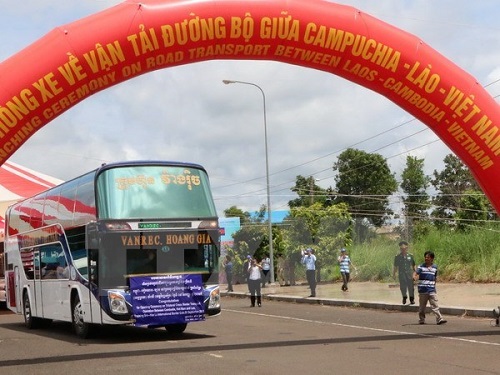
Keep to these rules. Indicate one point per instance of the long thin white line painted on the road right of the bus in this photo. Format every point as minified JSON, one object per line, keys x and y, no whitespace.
{"x":366,"y":328}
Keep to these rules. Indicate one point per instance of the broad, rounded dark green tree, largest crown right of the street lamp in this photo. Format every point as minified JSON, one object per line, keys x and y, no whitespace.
{"x":364,"y":181}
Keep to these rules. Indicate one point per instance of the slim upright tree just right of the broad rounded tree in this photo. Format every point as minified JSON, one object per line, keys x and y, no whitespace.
{"x":416,"y":201}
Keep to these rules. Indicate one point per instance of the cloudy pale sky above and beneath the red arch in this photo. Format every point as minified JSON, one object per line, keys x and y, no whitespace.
{"x":186,"y":113}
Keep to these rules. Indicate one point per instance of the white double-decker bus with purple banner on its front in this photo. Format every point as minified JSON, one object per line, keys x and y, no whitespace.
{"x":132,"y":243}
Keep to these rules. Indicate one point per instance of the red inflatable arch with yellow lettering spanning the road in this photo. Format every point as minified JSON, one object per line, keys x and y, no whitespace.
{"x":135,"y":37}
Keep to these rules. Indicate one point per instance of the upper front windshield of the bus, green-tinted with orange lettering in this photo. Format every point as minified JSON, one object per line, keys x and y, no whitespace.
{"x":149,"y":192}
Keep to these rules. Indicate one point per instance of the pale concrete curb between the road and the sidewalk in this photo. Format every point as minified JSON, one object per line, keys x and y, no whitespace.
{"x":446,"y":310}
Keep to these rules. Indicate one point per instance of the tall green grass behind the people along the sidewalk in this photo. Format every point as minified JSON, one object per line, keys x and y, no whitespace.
{"x":472,"y":256}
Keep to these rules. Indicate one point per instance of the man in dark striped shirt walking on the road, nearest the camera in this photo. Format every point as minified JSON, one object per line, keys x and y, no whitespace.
{"x":426,"y":274}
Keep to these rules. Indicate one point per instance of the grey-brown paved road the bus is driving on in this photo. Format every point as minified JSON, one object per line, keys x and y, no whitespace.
{"x":277,"y":338}
